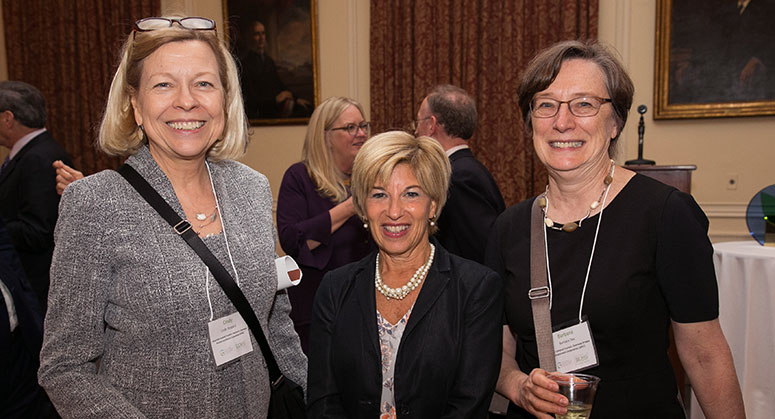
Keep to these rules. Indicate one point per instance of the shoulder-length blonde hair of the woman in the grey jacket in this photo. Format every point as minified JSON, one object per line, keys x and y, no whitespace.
{"x":119,"y":133}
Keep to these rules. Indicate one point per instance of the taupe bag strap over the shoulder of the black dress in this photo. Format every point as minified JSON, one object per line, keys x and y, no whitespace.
{"x":539,"y":293}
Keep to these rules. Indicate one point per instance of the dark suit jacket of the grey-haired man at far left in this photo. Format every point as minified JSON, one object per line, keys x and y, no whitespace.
{"x":29,"y":203}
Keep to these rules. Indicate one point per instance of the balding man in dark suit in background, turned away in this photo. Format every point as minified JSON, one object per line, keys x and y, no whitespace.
{"x":448,"y":114}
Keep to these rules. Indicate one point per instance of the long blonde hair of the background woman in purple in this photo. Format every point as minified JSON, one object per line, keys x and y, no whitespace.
{"x":316,"y":153}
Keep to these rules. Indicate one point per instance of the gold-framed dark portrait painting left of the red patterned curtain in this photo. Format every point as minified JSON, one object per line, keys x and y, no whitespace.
{"x":275,"y":44}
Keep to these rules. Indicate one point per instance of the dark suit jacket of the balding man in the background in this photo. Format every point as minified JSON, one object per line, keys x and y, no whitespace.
{"x":473,"y":203}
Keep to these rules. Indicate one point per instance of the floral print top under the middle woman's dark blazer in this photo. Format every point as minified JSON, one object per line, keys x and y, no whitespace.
{"x":389,"y":339}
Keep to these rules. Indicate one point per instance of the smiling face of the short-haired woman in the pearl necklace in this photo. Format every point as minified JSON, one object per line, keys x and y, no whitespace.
{"x":398,"y":214}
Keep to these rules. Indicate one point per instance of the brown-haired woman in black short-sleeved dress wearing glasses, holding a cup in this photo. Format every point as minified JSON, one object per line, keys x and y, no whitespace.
{"x":625,"y":256}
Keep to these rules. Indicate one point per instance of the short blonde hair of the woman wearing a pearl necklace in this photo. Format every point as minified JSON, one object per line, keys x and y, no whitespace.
{"x":382,"y":153}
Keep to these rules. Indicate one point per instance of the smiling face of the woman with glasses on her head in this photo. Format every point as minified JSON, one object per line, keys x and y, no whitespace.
{"x":180,"y":101}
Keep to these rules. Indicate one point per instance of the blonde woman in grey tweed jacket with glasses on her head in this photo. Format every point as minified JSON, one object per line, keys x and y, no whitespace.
{"x":137,"y":326}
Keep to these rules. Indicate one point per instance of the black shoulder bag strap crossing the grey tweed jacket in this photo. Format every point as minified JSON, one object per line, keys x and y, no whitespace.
{"x":183,"y":228}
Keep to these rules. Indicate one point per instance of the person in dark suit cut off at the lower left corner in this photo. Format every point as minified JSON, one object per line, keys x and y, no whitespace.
{"x":21,"y":335}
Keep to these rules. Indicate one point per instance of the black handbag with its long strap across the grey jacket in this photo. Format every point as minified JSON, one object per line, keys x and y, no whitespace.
{"x":287,"y":398}
